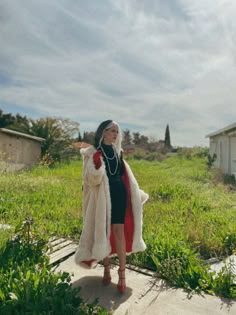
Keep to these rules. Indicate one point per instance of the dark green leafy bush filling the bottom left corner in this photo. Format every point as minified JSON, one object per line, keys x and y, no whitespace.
{"x":30,"y":286}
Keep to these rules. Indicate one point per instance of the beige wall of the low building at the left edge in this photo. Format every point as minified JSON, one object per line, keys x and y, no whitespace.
{"x":17,"y":152}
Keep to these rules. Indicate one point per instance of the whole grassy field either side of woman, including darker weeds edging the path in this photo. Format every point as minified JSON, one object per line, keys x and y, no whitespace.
{"x":190,"y":215}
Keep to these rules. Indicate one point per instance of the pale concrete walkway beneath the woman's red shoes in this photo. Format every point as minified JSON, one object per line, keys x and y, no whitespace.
{"x":145,"y":295}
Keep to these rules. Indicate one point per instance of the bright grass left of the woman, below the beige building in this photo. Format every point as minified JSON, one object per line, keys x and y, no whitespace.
{"x":53,"y":197}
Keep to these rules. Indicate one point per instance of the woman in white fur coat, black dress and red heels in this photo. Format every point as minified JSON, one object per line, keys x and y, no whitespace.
{"x":112,"y":205}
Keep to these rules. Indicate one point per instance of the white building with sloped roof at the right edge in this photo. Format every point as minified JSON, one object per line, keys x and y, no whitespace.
{"x":223,"y":144}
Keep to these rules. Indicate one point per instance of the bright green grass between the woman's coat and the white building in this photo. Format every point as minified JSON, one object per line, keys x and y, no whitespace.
{"x":185,"y":204}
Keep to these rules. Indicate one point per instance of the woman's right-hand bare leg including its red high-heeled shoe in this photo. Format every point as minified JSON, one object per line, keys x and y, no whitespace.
{"x":119,"y":235}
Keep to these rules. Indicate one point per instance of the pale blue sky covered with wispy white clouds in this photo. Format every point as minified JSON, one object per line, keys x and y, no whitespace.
{"x":144,"y":64}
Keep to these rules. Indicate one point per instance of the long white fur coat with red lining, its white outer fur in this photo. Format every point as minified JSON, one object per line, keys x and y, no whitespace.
{"x":94,"y":243}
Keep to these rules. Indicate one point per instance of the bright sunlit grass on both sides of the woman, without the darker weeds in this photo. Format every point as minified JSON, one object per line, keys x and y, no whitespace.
{"x":184,"y":203}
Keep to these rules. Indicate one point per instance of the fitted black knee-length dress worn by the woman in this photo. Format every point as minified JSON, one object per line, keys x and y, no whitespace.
{"x":114,"y":170}
